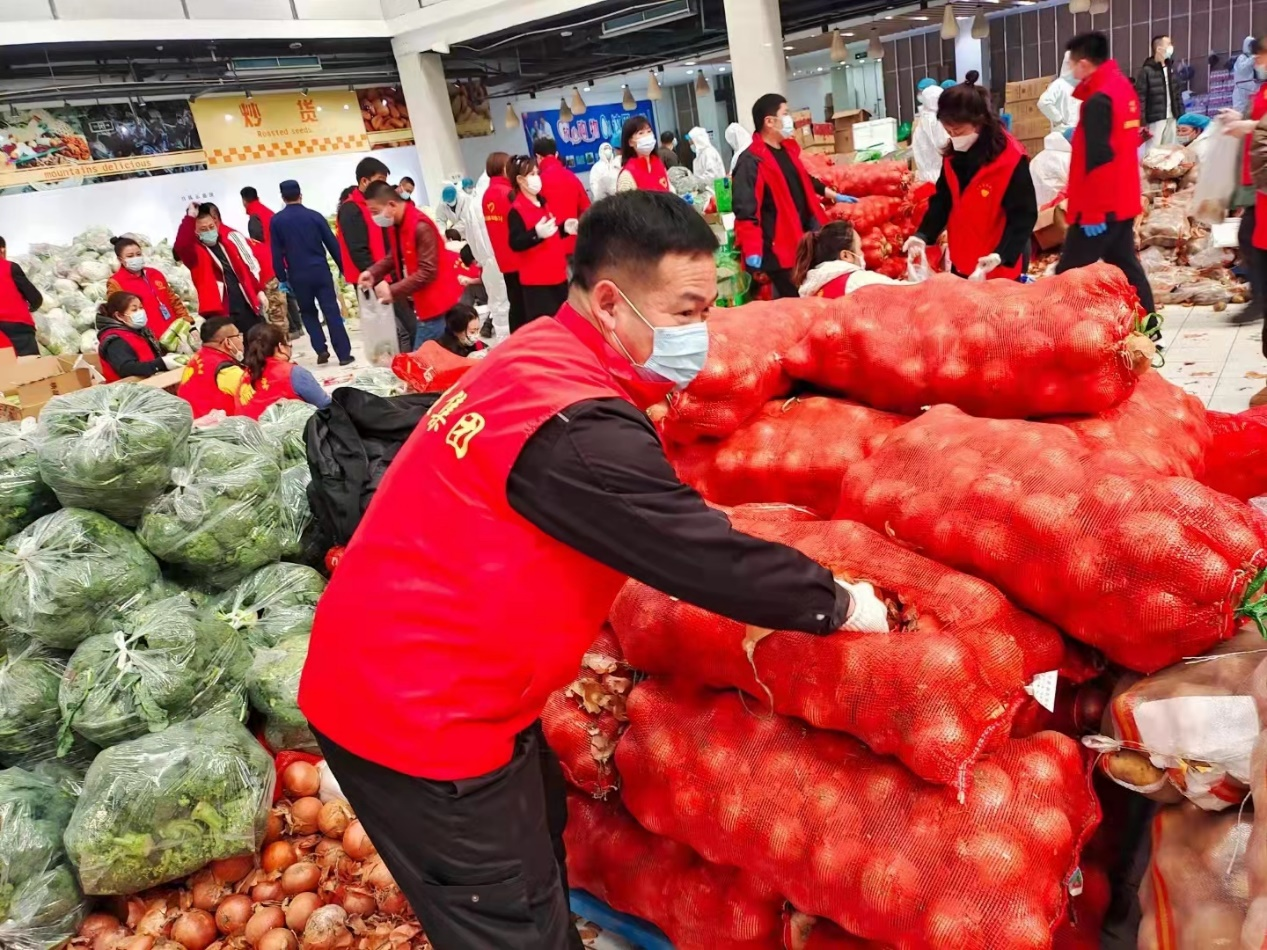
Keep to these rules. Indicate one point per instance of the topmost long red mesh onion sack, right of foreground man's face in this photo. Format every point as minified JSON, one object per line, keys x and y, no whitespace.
{"x":995,"y":349}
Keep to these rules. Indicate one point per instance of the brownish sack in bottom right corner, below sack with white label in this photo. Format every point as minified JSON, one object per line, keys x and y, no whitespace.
{"x":1197,"y":891}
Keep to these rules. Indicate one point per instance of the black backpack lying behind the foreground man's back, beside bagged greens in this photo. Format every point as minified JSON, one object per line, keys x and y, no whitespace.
{"x":350,"y":445}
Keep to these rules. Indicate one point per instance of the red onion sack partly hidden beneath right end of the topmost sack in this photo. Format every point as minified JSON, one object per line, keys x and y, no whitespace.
{"x":1157,"y":429}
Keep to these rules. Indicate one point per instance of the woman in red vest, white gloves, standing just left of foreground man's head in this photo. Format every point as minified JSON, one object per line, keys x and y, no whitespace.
{"x":539,"y":241}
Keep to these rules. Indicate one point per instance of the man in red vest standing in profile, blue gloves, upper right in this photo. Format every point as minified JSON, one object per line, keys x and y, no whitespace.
{"x":1105,"y":192}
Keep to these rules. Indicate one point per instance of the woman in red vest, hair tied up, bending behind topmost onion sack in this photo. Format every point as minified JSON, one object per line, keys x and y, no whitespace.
{"x":985,"y":199}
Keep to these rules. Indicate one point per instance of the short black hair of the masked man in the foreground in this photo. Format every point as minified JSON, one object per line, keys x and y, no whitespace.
{"x":634,"y":231}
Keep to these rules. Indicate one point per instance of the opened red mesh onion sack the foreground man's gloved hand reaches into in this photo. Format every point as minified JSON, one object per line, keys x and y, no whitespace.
{"x":966,"y":653}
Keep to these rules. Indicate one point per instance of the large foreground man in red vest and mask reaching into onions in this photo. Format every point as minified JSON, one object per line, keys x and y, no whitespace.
{"x":543,"y":487}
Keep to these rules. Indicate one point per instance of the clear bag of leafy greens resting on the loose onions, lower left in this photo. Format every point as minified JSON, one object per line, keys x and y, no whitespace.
{"x":160,"y":807}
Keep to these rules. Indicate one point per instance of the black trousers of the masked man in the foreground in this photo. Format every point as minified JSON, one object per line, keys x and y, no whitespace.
{"x":481,"y":861}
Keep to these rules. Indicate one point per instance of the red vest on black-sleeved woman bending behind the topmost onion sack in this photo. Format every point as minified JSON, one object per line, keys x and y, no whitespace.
{"x":976,"y":225}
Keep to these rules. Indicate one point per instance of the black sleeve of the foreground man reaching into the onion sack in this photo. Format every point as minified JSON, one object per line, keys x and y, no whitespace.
{"x":596,"y":479}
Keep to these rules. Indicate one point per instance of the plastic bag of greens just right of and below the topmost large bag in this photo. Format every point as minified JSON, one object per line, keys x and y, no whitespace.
{"x":222,"y":517}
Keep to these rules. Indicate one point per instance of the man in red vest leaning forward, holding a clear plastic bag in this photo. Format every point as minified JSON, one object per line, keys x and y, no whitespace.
{"x":421,"y":272}
